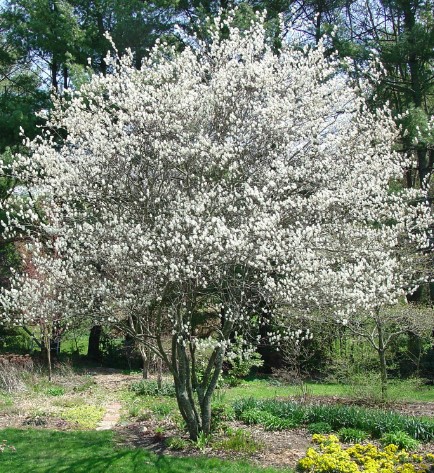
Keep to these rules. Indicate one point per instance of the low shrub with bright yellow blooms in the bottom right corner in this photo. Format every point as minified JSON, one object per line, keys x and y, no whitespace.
{"x":328,"y":456}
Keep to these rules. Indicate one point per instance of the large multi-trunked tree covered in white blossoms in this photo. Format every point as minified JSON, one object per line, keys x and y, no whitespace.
{"x":207,"y":190}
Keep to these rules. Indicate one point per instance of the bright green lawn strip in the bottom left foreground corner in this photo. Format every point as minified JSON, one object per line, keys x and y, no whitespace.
{"x":40,"y":451}
